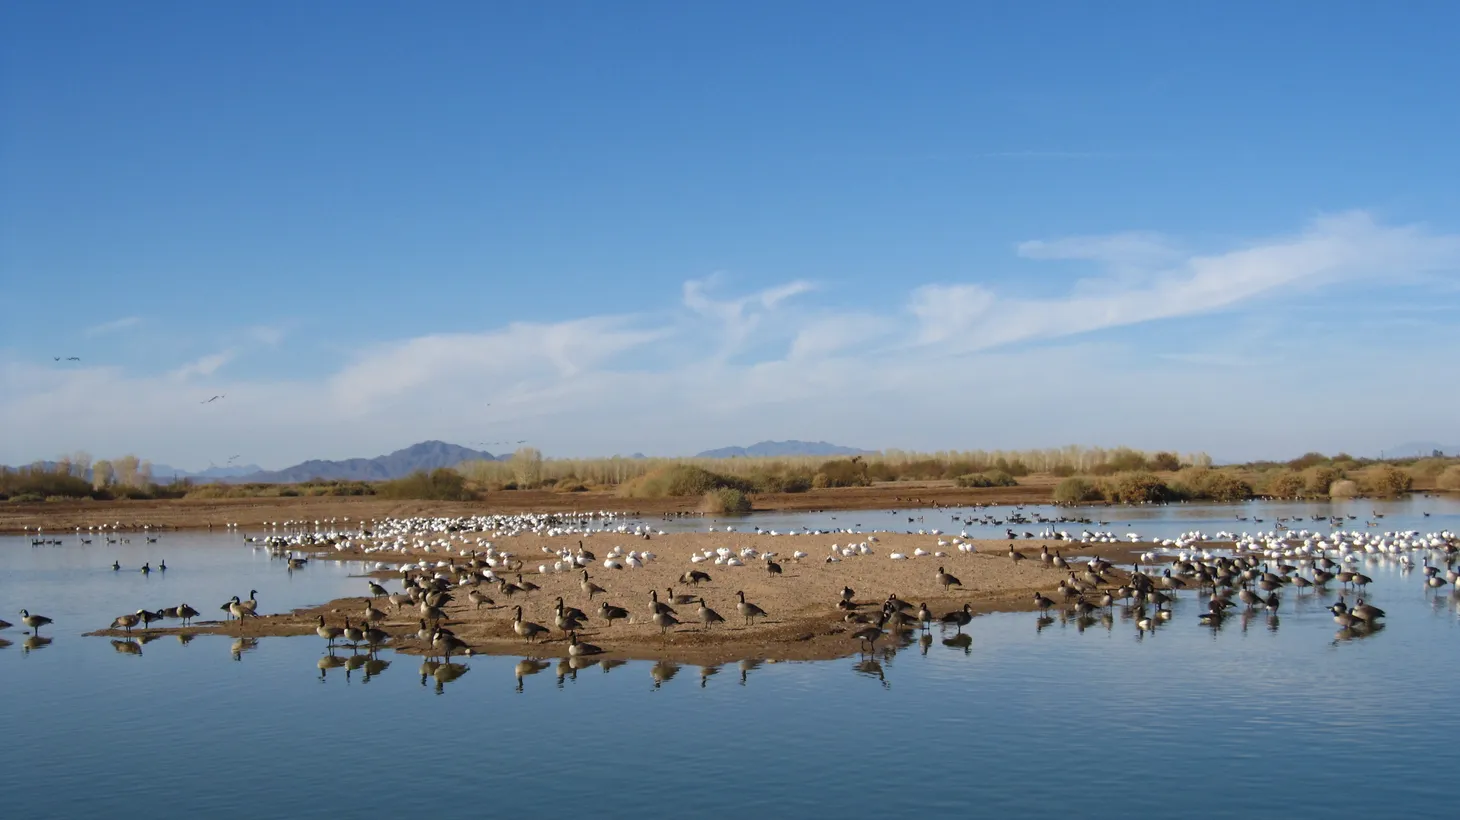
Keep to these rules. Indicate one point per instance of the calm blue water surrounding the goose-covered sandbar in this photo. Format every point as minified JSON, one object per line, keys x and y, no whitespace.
{"x":1262,"y":719}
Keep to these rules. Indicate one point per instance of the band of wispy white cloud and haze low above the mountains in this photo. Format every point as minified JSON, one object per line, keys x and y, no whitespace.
{"x":721,"y":367}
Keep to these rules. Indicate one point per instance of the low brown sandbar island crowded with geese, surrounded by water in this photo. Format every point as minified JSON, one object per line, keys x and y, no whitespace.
{"x":802,"y":621}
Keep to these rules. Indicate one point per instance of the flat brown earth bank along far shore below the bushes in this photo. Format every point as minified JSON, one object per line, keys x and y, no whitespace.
{"x":246,"y":513}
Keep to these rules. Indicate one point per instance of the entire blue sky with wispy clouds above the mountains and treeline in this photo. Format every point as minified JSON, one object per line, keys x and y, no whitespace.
{"x":671,"y":227}
